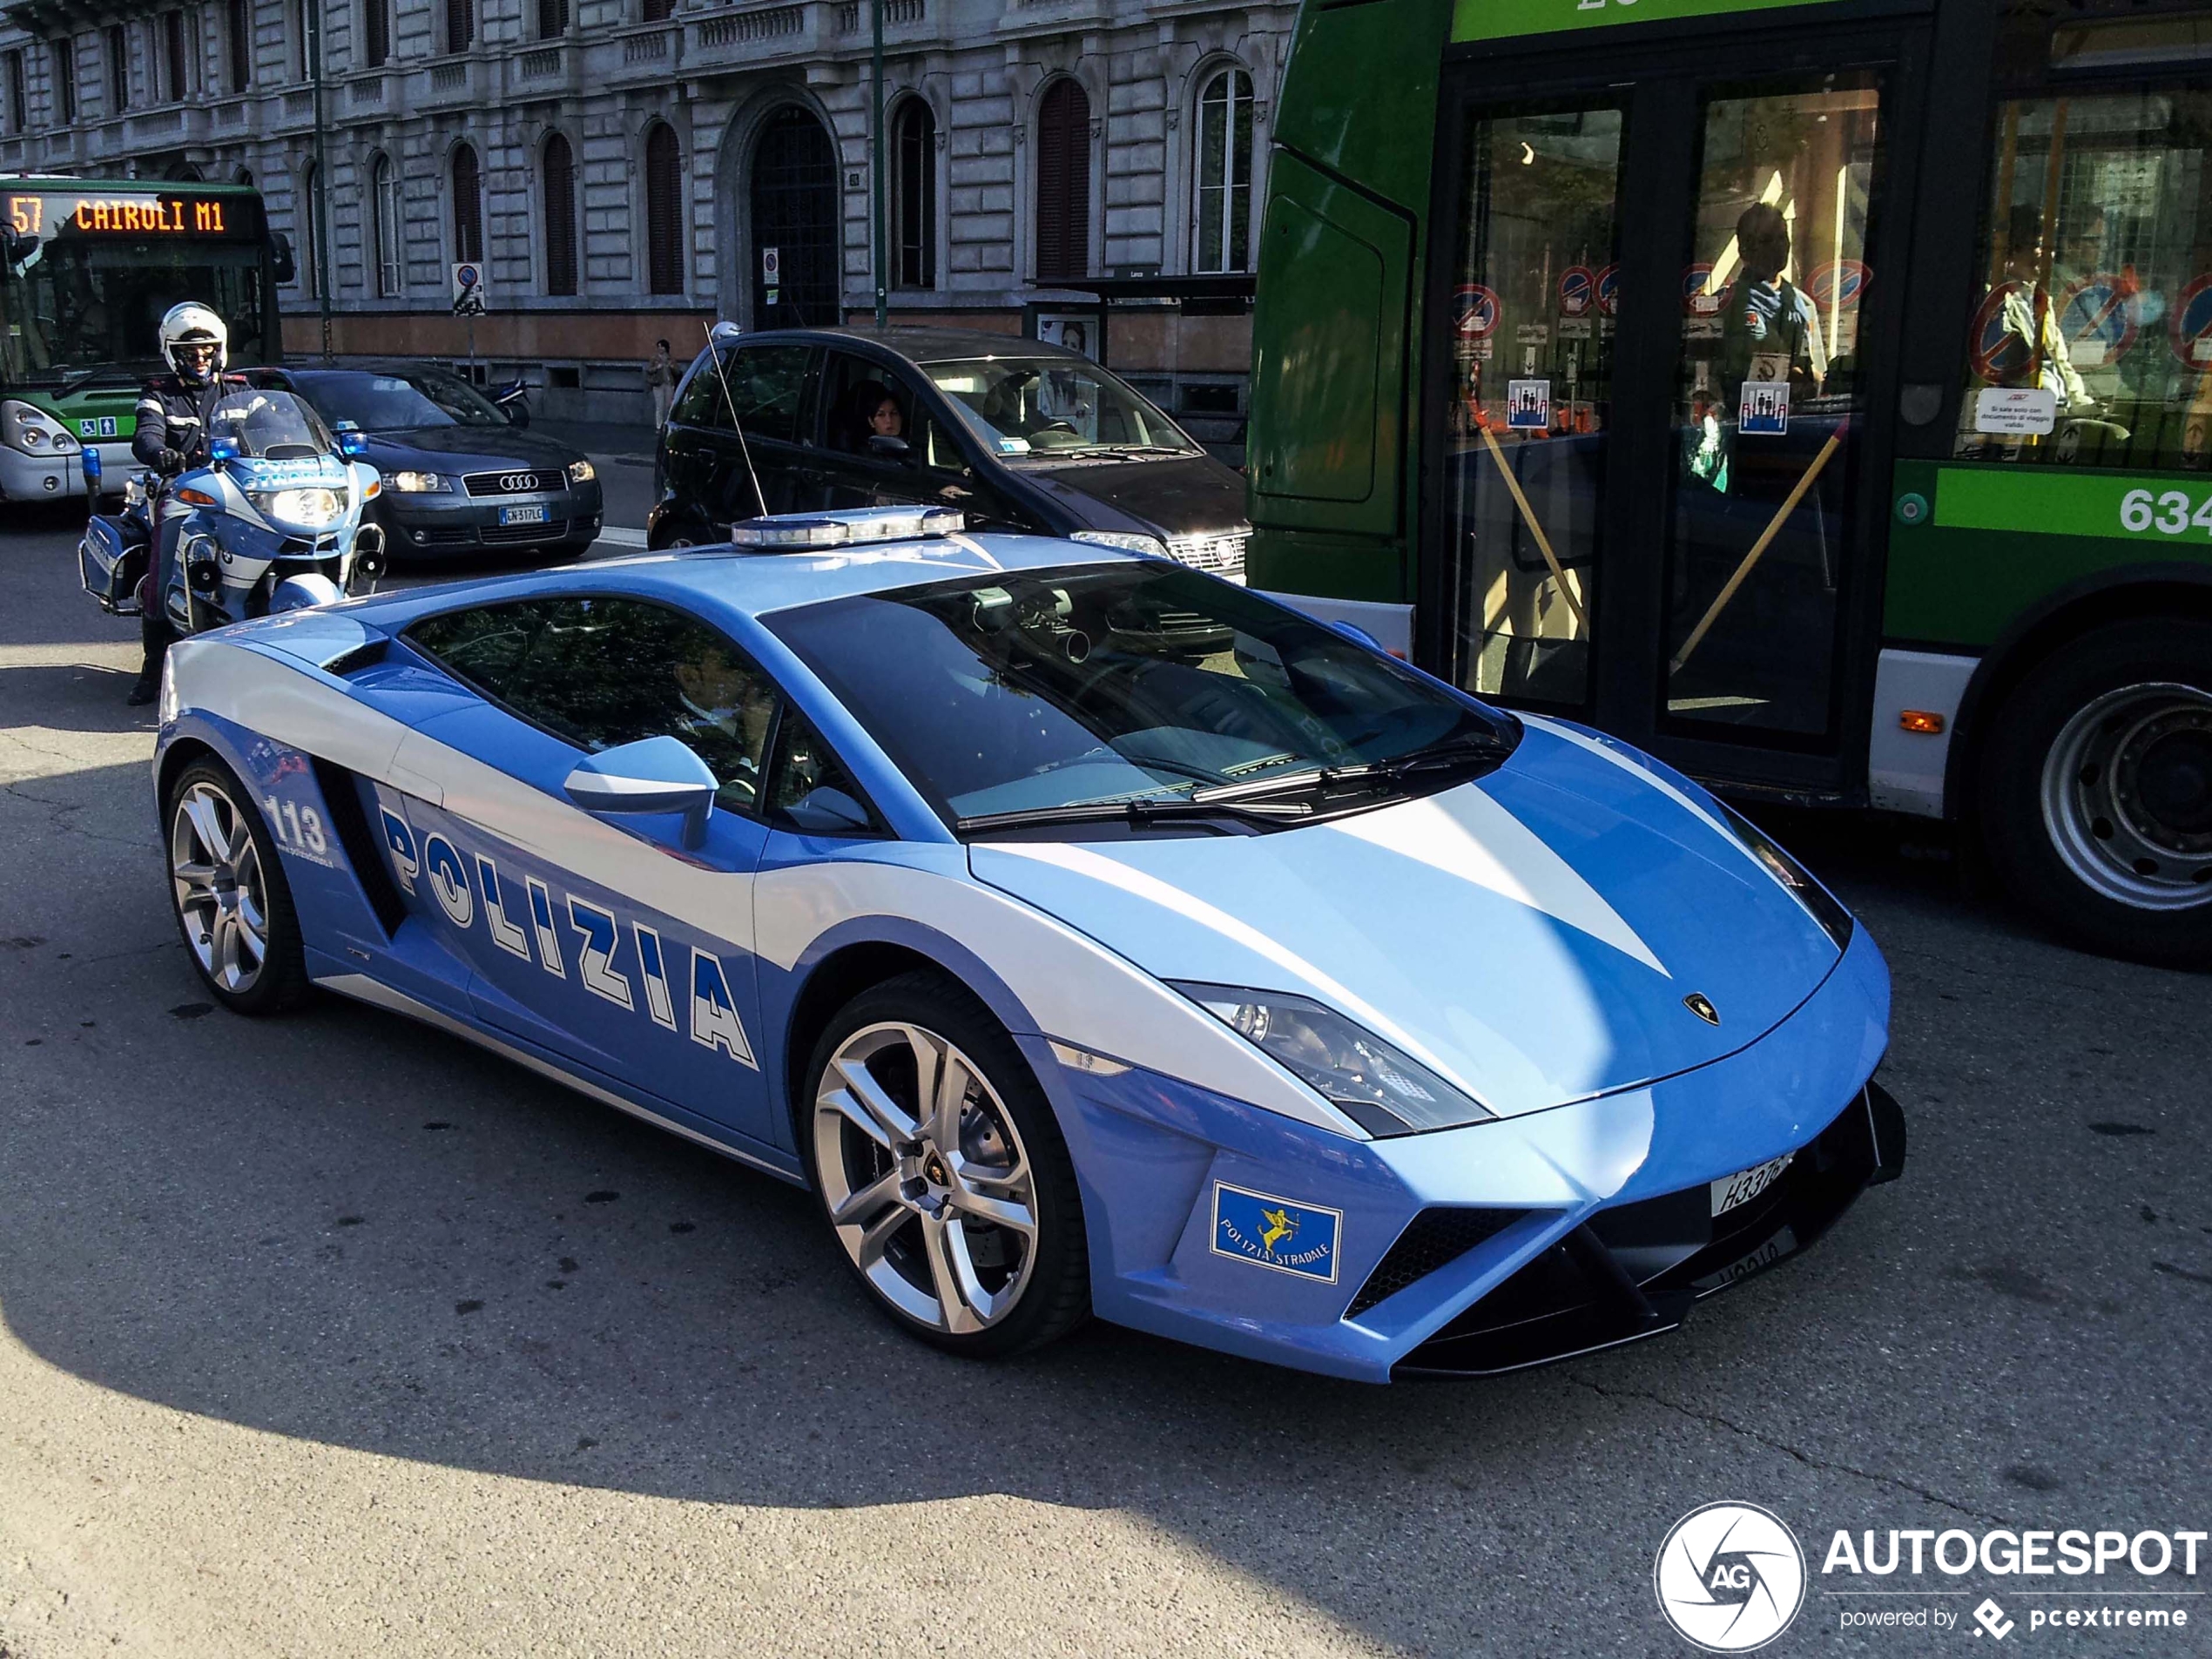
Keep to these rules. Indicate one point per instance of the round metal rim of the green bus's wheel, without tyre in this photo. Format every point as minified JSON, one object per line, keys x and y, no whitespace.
{"x":2129,"y":795}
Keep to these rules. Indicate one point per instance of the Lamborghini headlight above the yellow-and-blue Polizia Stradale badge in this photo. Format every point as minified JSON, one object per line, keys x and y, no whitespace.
{"x":1375,"y":1083}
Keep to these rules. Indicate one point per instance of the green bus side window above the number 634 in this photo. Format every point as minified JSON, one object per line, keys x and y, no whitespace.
{"x":2091,"y":344}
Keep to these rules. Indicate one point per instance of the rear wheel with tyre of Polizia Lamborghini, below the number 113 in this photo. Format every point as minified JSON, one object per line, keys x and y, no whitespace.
{"x":229,"y":895}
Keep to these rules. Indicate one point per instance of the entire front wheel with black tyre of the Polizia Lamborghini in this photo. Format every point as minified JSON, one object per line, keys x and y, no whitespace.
{"x":943,"y":1171}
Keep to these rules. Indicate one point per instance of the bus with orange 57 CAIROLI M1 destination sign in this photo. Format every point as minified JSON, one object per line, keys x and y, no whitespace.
{"x":87,"y":269}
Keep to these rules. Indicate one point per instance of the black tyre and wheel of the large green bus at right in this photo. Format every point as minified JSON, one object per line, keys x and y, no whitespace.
{"x":2098,"y":791}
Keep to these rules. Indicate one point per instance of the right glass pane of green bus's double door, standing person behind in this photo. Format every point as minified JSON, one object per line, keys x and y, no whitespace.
{"x":1766,"y":393}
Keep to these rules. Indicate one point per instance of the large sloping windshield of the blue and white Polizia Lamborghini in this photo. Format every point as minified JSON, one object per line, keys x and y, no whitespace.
{"x":1074,"y":693}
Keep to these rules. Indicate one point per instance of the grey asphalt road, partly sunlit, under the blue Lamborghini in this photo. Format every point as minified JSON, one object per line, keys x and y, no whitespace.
{"x":340,"y":1337}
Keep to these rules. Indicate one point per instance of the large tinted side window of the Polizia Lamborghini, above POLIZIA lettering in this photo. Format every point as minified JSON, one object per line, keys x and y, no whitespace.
{"x":609,"y":671}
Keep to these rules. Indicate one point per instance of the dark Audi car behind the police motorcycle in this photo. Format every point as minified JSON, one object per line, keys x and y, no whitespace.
{"x":461,"y":472}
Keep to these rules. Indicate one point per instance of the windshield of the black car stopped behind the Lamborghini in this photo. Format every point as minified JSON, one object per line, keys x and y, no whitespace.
{"x":1052,"y":406}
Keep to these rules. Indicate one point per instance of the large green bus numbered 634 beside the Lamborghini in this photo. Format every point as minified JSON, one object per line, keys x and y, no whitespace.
{"x":1813,"y":393}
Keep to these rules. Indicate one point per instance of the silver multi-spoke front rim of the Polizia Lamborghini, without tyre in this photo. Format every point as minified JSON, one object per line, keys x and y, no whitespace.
{"x":926,"y":1178}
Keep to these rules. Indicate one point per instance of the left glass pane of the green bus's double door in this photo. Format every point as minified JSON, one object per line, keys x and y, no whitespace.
{"x":1530,"y":397}
